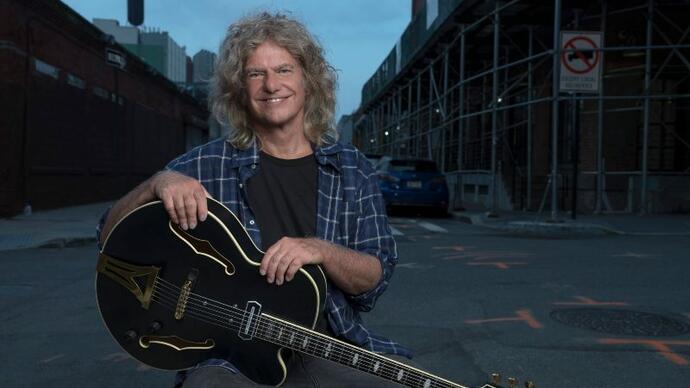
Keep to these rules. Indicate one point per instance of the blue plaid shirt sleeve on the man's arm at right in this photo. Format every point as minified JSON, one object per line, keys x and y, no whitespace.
{"x":373,"y":236}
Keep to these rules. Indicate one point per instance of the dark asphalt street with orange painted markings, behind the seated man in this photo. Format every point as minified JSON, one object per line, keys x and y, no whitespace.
{"x":594,"y":312}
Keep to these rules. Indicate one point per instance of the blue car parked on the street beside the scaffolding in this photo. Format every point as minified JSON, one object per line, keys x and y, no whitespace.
{"x":413,"y":183}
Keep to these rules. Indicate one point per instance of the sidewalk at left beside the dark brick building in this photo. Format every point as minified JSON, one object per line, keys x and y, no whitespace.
{"x":70,"y":226}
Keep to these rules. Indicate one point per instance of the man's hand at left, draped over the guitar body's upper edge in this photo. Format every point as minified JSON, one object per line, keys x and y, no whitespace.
{"x":184,"y":198}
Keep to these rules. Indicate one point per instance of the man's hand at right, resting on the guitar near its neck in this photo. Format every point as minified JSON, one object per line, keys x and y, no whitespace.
{"x":284,"y":258}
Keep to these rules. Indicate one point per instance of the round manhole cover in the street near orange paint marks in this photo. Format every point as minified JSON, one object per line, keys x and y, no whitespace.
{"x":621,"y":322}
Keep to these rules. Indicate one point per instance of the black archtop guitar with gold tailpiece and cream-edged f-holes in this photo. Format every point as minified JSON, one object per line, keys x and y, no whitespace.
{"x":173,"y":298}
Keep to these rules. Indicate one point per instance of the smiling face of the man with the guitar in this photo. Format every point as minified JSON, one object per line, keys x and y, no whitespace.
{"x":275,"y":88}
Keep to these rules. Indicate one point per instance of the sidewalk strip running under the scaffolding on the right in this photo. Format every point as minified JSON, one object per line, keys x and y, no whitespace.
{"x":534,"y":225}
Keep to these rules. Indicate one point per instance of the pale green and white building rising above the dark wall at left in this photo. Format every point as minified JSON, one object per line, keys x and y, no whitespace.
{"x":155,"y":47}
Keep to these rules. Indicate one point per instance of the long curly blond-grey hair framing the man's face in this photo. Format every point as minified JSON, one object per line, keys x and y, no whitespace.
{"x":228,"y":99}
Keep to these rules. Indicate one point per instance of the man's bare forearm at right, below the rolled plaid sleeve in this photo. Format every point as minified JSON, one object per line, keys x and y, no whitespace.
{"x":353,"y":272}
